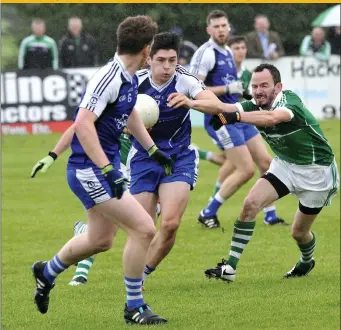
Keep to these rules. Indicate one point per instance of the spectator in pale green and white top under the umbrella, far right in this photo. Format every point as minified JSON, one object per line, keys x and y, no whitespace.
{"x":316,"y":45}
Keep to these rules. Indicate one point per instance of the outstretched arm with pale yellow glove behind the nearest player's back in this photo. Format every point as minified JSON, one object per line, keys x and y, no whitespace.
{"x":63,"y":143}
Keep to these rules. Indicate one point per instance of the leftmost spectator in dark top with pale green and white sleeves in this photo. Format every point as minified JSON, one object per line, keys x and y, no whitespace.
{"x":38,"y":51}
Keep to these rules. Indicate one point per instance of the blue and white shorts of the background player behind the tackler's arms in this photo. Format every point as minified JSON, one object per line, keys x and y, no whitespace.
{"x":230,"y":136}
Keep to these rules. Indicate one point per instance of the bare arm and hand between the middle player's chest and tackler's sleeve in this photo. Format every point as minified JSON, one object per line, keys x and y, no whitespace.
{"x":205,"y":102}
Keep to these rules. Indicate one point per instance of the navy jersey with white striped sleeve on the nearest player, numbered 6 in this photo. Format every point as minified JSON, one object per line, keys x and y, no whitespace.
{"x":111,"y":96}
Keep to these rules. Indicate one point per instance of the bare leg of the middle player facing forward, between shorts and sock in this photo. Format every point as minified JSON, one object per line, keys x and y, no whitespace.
{"x":173,"y":198}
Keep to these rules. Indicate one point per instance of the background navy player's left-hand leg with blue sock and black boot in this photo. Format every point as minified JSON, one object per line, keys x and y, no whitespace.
{"x":241,"y":160}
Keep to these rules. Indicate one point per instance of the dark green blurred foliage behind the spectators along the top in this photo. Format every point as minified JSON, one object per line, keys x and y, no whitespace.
{"x":292,"y":21}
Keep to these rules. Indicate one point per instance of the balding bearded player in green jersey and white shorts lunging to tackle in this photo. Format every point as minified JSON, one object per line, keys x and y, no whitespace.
{"x":304,"y":165}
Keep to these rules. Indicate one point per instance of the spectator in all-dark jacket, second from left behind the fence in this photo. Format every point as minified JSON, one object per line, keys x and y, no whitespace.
{"x":77,"y":48}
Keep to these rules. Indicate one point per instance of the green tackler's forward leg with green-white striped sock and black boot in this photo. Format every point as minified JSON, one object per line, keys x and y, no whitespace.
{"x":263,"y":193}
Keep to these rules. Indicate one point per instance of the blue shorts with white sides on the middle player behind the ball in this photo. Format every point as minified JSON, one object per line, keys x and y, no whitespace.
{"x":146,"y":174}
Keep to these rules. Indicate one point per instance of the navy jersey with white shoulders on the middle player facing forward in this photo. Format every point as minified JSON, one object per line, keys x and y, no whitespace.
{"x":173,"y":129}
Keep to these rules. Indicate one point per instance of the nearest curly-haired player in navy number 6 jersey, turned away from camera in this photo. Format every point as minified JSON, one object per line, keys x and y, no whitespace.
{"x":107,"y":106}
